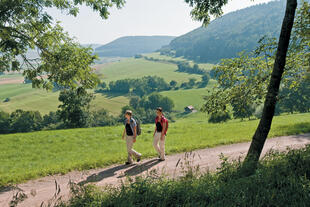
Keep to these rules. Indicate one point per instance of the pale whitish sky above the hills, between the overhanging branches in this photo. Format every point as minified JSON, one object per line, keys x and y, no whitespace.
{"x":137,"y":17}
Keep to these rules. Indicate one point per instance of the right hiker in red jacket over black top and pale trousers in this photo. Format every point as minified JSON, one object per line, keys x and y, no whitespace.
{"x":161,"y":128}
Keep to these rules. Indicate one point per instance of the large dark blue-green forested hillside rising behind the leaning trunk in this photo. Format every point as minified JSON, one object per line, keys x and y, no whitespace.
{"x":230,"y":34}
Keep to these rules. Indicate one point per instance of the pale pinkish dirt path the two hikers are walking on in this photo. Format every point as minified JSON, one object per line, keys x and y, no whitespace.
{"x":208,"y":159}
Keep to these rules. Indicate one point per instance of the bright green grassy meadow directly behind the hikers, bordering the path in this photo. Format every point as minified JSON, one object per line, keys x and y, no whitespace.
{"x":31,"y":155}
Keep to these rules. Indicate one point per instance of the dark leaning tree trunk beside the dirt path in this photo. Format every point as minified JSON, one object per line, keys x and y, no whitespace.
{"x":263,"y":128}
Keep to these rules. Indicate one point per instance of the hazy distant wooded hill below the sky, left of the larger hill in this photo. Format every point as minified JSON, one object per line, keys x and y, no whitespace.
{"x":132,"y":45}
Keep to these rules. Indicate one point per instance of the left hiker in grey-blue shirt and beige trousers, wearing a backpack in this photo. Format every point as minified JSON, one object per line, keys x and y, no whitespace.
{"x":130,"y":133}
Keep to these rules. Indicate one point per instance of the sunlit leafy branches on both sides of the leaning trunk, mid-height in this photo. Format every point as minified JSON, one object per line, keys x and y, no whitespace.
{"x":243,"y":81}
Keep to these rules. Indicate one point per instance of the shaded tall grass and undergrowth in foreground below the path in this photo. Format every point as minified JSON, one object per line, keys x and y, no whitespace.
{"x":282,"y":179}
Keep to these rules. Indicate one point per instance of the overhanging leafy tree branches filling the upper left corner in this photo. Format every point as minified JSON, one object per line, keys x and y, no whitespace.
{"x":26,"y":25}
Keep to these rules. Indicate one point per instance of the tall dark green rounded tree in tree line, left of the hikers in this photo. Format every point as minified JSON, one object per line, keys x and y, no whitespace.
{"x":74,"y":110}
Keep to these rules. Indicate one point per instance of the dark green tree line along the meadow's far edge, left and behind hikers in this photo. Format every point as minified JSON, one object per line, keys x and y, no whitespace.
{"x":74,"y":113}
